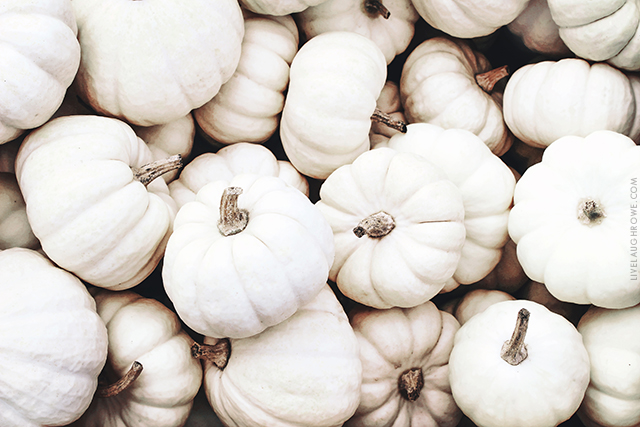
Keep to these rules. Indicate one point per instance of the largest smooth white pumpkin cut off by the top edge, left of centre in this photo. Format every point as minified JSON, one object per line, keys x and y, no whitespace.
{"x":159,"y":77}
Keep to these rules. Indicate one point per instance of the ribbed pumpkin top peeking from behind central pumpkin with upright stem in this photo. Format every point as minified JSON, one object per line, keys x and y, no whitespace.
{"x":229,"y":161}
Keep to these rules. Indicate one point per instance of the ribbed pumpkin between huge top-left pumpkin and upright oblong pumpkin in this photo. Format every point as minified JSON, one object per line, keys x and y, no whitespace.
{"x":247,"y":108}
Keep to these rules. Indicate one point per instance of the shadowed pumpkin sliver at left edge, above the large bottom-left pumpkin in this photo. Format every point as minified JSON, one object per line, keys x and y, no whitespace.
{"x":15,"y":230}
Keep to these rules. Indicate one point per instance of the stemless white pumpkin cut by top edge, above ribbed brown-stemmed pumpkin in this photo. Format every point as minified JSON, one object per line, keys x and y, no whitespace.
{"x":468,"y":19}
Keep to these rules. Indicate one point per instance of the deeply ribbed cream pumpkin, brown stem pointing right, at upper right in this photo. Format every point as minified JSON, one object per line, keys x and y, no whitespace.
{"x":439,"y":85}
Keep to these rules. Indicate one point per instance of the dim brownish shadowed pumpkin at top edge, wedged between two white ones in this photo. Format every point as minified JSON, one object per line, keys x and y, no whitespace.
{"x":538,"y":31}
